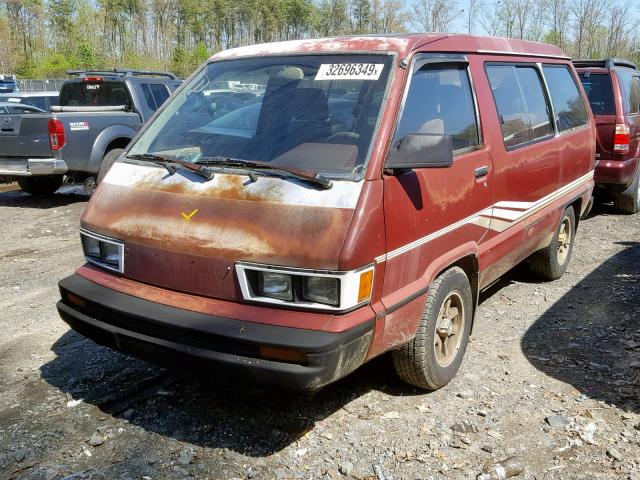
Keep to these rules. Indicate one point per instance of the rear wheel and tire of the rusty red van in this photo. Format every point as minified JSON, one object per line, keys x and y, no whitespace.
{"x":551,"y":262}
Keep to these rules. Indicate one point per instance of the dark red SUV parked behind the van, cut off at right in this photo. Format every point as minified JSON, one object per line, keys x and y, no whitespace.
{"x":613,"y":88}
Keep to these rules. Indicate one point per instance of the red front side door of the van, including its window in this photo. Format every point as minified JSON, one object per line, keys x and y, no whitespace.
{"x":435,"y":214}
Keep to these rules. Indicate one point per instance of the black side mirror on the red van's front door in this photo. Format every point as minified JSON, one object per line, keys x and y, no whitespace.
{"x":420,"y":150}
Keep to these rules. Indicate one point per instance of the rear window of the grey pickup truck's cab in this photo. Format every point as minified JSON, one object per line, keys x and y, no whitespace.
{"x":94,"y":94}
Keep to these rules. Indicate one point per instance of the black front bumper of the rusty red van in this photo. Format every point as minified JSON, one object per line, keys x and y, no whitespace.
{"x":181,"y":338}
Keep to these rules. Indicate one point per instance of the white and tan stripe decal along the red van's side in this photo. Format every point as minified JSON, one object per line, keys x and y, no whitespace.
{"x":498,"y":217}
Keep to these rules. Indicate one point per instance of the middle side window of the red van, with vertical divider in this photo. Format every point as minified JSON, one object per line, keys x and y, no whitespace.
{"x":522,"y":105}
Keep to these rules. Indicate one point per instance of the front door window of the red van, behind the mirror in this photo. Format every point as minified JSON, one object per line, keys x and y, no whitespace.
{"x":439,"y":102}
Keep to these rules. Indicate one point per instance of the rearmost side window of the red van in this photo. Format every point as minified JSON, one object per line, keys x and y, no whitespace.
{"x":565,"y":98}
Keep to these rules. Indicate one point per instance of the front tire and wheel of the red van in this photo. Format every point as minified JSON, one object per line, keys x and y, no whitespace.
{"x":418,"y":362}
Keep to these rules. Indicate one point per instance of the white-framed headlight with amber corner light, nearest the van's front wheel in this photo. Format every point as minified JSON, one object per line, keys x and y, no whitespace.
{"x":313,"y":289}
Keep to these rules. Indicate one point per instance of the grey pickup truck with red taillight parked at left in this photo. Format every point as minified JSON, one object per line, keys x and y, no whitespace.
{"x":99,"y":113}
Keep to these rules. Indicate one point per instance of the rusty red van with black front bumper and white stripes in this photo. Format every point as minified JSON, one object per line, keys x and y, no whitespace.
{"x":299,"y":208}
